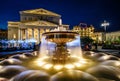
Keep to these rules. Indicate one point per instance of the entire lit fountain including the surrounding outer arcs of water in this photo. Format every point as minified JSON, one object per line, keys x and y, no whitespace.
{"x":60,"y":59}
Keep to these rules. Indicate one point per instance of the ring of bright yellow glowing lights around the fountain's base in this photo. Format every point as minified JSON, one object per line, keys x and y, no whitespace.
{"x":74,"y":63}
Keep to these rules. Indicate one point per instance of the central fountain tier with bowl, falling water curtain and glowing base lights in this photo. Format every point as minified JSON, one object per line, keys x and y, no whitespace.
{"x":62,"y":56}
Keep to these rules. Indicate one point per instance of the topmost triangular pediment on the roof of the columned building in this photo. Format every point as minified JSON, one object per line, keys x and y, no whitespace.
{"x":40,"y":11}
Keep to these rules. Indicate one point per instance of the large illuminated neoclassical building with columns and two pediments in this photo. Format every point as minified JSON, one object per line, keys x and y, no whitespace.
{"x":33,"y":23}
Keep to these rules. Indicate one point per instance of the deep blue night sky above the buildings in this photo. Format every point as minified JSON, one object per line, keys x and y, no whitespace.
{"x":73,"y":11}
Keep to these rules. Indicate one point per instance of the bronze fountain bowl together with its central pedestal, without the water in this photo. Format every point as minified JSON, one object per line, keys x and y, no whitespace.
{"x":60,"y":38}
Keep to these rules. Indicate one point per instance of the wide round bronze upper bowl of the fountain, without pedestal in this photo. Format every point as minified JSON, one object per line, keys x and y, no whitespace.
{"x":60,"y":37}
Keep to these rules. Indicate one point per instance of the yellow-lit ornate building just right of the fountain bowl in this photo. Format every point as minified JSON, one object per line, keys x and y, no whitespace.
{"x":88,"y":31}
